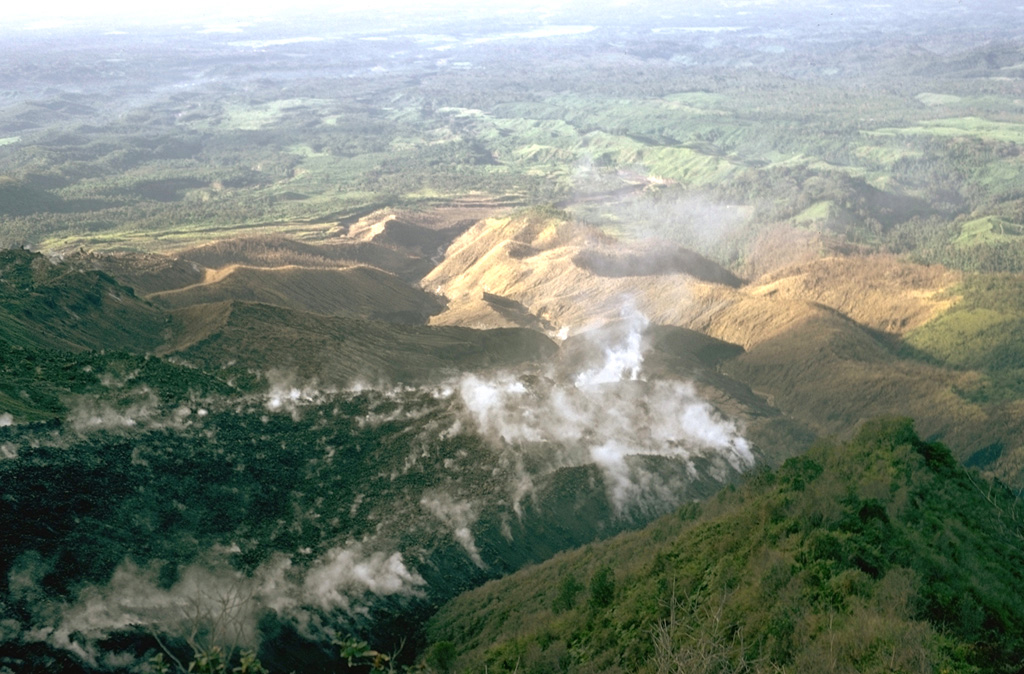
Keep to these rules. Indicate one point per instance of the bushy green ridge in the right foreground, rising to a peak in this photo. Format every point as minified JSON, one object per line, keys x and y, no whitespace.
{"x":876,"y":556}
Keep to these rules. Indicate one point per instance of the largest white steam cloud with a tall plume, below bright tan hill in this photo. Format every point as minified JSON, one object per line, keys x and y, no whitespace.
{"x":610,"y":415}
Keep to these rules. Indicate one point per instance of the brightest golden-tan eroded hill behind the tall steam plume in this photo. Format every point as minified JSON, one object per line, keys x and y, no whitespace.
{"x":564,"y":274}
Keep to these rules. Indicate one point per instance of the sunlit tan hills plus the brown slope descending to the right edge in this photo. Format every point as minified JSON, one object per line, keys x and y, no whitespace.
{"x":822,"y":340}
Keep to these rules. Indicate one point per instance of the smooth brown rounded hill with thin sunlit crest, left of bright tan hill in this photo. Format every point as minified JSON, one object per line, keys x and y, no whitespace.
{"x":358,"y":291}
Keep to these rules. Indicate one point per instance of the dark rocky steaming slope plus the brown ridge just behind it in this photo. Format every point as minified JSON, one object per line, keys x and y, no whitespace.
{"x":339,"y":511}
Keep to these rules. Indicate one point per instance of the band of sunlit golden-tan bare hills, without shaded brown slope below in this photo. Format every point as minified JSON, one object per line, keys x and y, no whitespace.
{"x":538,"y":265}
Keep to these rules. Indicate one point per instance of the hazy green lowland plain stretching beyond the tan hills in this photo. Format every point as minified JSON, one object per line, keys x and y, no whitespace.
{"x":861,"y":148}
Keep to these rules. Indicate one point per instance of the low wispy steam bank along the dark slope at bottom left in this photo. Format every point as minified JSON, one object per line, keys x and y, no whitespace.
{"x":210,"y":603}
